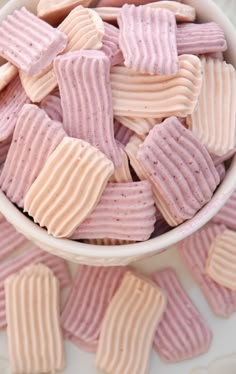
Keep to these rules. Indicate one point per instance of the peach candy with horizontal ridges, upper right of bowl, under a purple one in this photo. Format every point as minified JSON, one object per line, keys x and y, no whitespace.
{"x":153,"y":96}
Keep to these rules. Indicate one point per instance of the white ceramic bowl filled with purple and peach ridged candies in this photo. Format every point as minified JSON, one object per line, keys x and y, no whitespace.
{"x":125,"y":254}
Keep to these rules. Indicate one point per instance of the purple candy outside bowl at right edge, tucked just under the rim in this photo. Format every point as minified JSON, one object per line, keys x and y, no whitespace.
{"x":227,"y":215}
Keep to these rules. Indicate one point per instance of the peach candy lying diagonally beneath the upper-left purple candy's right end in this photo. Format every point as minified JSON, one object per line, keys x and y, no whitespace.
{"x":84,"y":30}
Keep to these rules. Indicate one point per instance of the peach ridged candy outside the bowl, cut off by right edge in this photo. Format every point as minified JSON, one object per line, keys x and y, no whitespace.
{"x":221,"y":261}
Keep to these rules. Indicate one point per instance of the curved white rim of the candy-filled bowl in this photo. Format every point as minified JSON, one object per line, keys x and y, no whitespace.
{"x":151,"y":246}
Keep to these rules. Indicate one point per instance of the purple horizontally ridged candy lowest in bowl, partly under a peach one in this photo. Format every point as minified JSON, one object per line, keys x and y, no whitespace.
{"x":126,"y":211}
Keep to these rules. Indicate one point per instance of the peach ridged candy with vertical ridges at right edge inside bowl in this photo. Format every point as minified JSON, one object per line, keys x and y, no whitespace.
{"x":213,"y":121}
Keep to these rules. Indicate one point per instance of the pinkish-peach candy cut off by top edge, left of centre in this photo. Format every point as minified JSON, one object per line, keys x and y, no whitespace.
{"x":54,"y":11}
